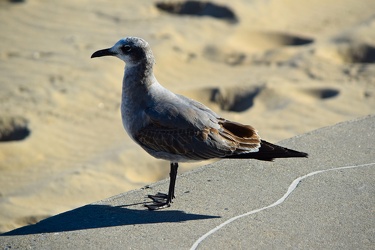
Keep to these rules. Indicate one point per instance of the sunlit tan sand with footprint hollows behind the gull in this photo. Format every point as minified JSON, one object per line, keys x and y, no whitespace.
{"x":285,"y":67}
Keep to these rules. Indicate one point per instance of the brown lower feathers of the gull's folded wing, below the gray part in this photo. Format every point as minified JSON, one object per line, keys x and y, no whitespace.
{"x":231,"y":138}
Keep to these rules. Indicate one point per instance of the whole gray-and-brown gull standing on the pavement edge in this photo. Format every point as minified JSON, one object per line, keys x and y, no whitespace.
{"x":175,"y":128}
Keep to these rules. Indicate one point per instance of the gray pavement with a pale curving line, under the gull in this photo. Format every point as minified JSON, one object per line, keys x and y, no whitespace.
{"x":331,"y":209}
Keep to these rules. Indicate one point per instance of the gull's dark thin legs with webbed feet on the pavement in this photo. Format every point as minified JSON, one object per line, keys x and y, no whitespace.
{"x":163,"y":200}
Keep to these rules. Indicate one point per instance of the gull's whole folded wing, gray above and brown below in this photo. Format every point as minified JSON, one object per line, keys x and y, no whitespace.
{"x":190,"y":129}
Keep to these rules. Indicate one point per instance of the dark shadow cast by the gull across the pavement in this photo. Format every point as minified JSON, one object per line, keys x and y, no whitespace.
{"x":100,"y":216}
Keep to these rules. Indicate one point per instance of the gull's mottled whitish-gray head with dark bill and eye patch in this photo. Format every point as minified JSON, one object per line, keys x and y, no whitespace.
{"x":132,"y":50}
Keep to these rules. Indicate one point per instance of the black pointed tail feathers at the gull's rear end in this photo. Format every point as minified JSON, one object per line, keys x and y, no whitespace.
{"x":268,"y":152}
